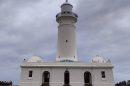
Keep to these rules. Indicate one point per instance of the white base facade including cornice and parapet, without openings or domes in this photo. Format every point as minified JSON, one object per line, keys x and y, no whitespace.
{"x":57,"y":70}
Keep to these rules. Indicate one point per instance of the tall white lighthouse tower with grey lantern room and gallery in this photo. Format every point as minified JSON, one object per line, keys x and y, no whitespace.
{"x":66,"y":48}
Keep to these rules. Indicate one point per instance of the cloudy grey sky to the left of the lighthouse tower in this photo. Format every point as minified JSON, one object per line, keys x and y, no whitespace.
{"x":25,"y":30}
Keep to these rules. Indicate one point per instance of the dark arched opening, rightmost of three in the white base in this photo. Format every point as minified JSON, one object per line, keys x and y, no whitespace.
{"x":87,"y":79}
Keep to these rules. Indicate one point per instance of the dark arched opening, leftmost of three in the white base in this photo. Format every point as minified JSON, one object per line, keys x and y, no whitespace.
{"x":45,"y":78}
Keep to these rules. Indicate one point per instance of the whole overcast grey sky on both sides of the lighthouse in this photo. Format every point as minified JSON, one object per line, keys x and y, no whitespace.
{"x":28,"y":27}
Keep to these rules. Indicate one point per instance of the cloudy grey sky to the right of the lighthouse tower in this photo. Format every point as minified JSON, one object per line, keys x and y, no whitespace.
{"x":104,"y":25}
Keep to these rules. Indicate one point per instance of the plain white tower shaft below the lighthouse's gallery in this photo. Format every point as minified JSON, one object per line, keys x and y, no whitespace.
{"x":66,"y":31}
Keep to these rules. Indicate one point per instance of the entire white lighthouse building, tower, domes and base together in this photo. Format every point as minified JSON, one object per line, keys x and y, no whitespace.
{"x":67,"y":70}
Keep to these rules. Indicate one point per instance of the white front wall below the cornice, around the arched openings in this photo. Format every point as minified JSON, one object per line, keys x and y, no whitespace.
{"x":76,"y":76}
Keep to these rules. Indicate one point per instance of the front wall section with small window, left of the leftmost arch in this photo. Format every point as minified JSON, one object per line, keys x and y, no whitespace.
{"x":36,"y":79}
